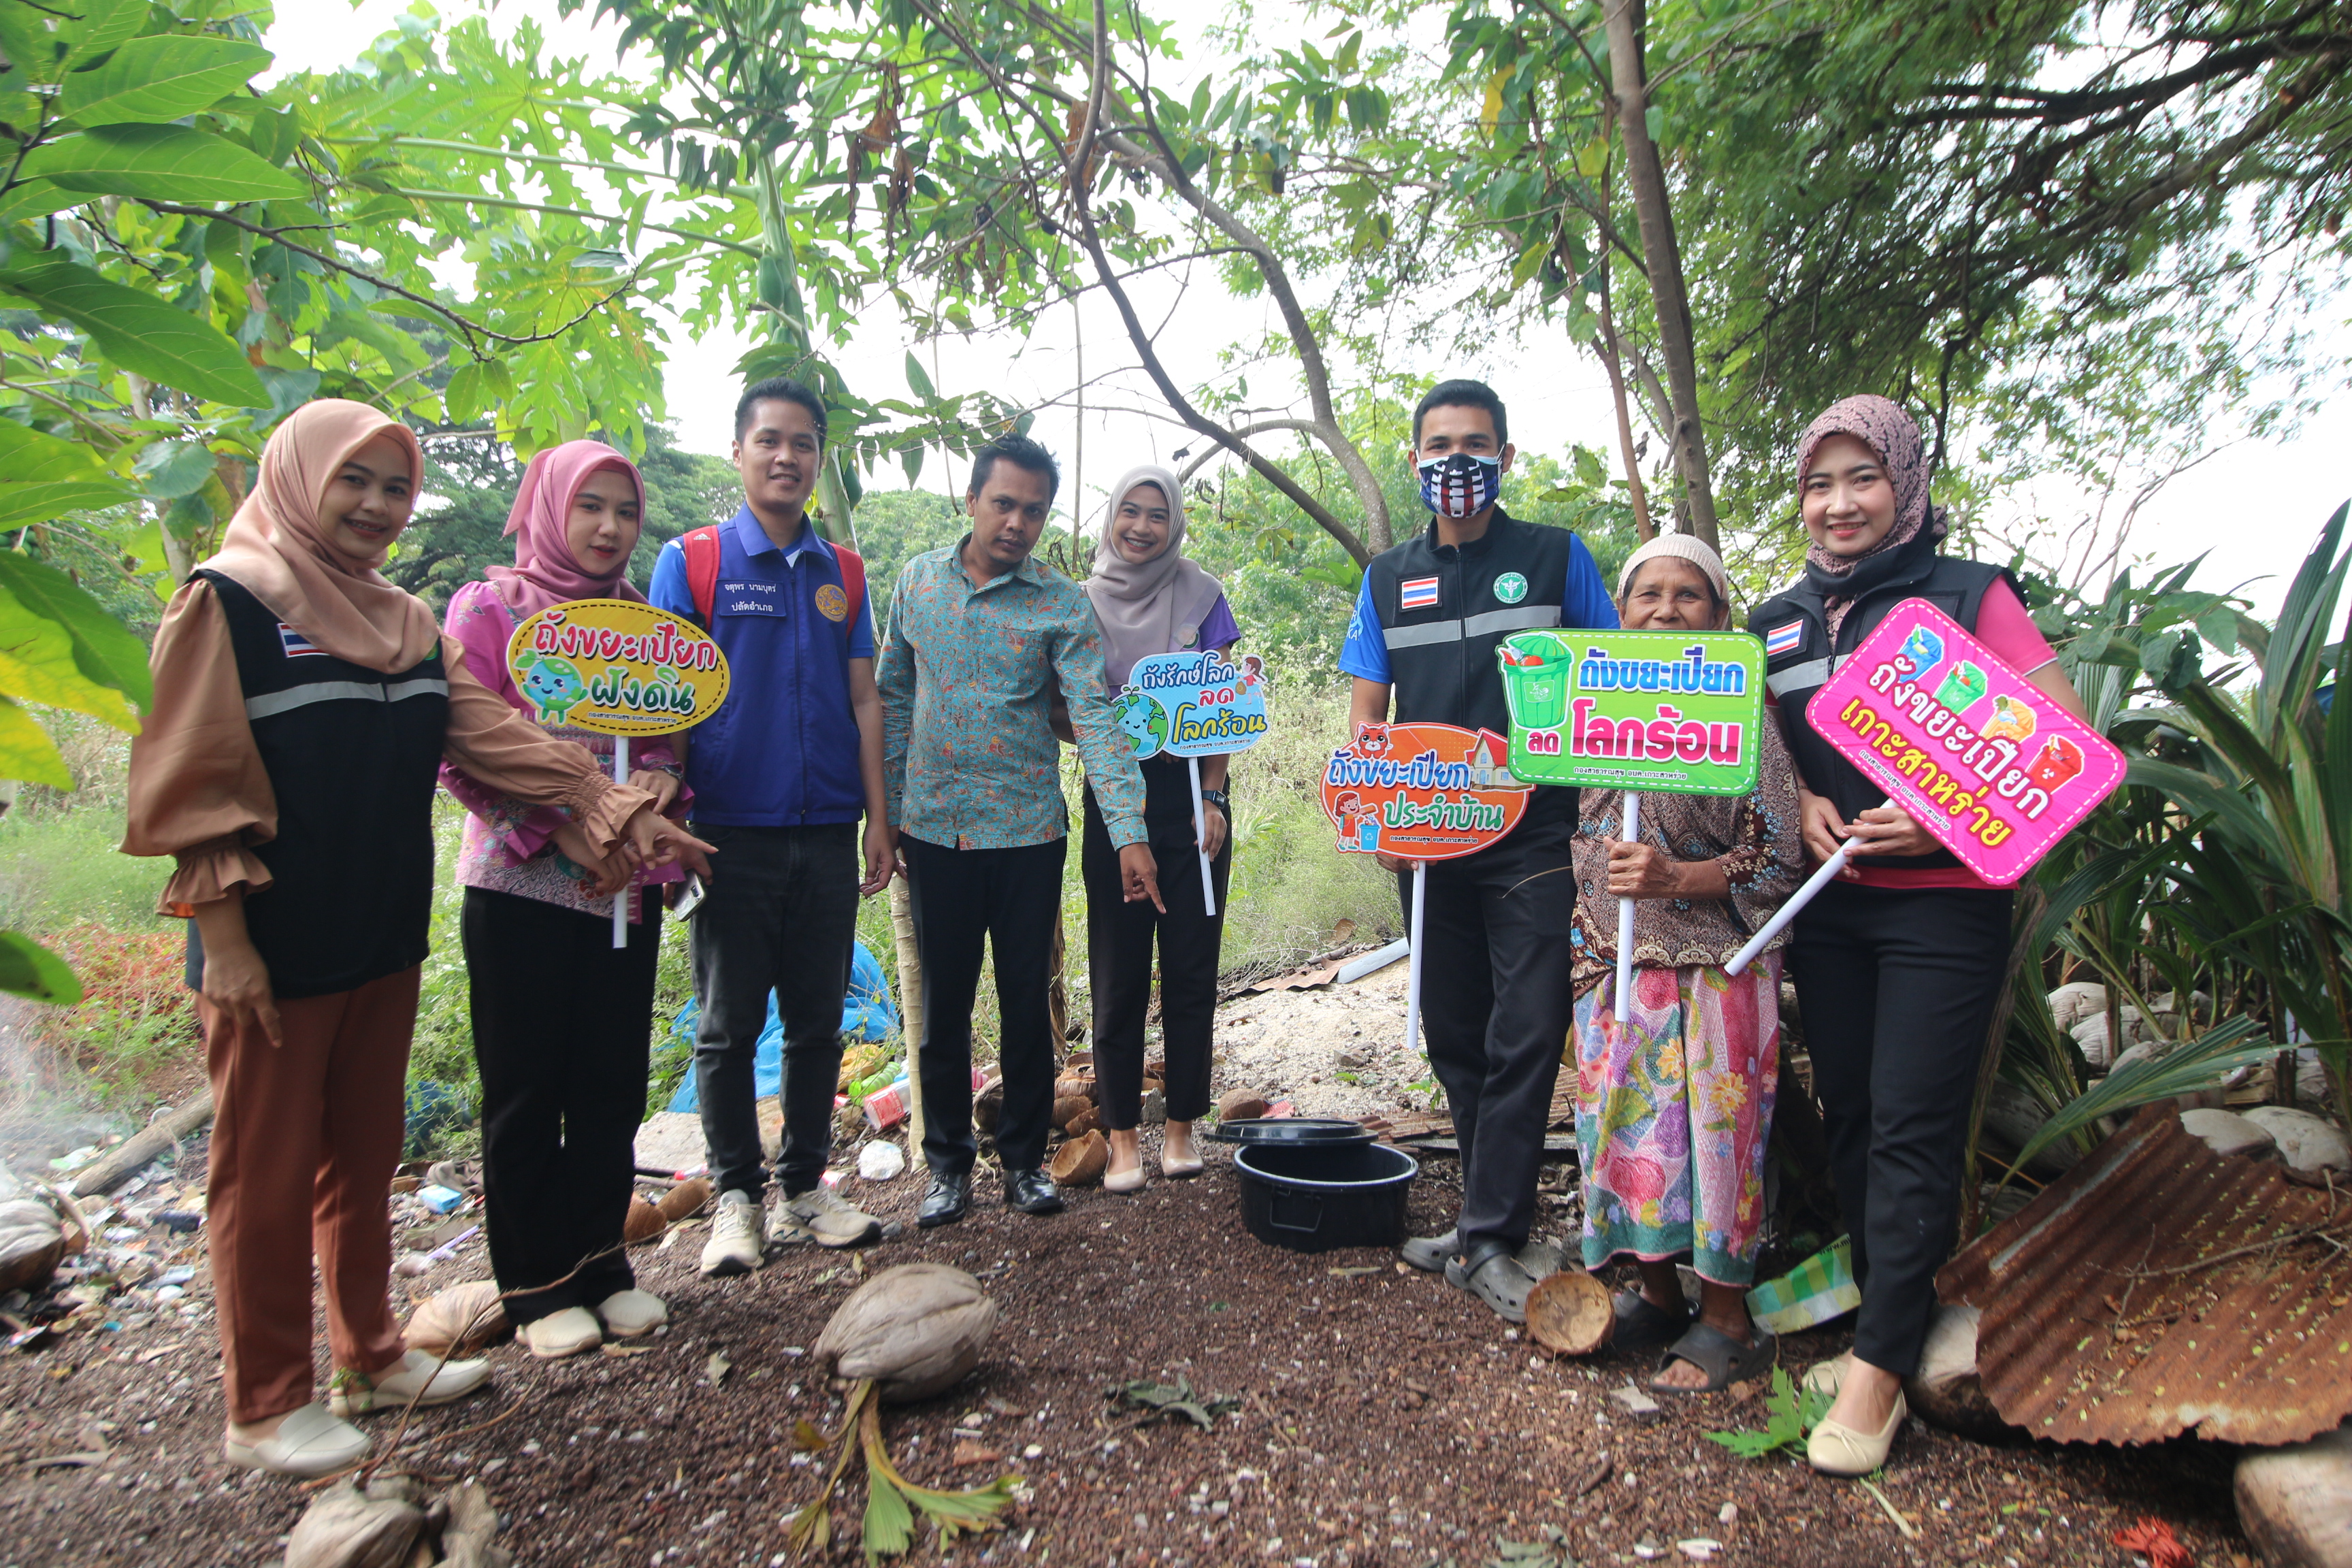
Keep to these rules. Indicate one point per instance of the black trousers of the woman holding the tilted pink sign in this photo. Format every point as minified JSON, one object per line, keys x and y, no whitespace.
{"x":1897,"y":989}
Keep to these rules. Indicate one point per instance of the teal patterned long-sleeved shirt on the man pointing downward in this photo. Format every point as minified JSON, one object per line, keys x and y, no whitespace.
{"x":968,"y":692}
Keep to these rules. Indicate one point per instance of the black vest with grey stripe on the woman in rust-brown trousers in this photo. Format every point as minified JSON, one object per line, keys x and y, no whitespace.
{"x":354,"y":758}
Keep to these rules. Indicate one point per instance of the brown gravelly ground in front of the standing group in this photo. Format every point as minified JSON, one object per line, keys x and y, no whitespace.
{"x":1387,"y":1421}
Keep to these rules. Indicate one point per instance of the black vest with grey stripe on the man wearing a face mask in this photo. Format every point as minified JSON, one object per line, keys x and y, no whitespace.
{"x":1441,"y":655}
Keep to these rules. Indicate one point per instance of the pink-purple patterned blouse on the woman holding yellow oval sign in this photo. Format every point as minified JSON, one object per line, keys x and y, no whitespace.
{"x":509,"y":843}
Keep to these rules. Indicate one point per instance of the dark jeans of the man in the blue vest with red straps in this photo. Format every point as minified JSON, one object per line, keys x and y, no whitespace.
{"x":782,"y":916}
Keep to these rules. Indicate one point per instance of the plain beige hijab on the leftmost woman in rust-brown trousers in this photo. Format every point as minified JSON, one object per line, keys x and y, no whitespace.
{"x":276,"y":549}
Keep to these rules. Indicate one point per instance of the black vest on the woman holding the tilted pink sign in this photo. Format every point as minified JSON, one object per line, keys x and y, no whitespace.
{"x":1805,"y":666}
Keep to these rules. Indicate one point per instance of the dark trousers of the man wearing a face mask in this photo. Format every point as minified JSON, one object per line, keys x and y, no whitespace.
{"x":1497,"y":1012}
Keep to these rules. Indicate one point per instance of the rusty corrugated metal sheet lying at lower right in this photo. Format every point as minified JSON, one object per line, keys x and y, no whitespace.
{"x":2125,"y":1308}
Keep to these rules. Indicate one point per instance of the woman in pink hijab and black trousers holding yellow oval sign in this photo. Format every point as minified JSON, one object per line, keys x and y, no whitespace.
{"x":563,"y":1064}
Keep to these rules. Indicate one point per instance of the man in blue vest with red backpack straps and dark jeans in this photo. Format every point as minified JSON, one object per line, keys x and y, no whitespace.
{"x":782,"y":775}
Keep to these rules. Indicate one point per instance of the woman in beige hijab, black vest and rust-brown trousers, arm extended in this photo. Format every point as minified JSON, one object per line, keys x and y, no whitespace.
{"x":302,"y":713}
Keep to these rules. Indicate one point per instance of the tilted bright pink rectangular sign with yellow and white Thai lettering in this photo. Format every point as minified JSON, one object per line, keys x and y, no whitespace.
{"x":1975,"y":751}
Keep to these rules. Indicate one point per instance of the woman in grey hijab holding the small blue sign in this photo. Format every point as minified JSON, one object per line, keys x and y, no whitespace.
{"x":1151,"y":601}
